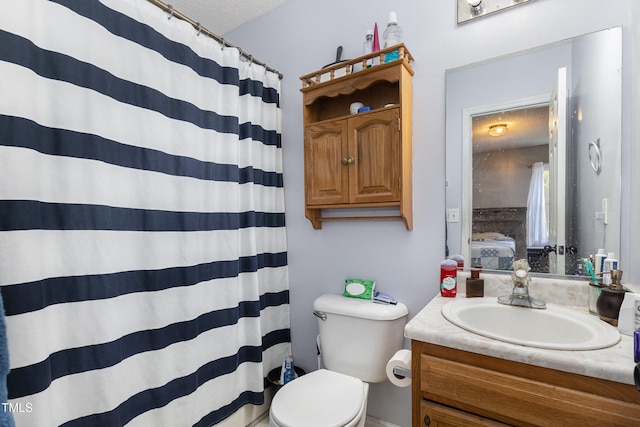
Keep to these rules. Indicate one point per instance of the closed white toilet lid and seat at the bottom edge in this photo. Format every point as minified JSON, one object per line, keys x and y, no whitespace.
{"x":322,"y":398}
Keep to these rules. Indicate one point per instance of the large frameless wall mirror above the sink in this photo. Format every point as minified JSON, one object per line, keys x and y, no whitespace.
{"x":547,"y":187}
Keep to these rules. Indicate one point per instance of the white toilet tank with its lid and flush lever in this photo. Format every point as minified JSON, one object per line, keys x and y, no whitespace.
{"x":358,"y":337}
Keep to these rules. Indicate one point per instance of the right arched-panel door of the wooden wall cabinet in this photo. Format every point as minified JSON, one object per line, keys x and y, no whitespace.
{"x":374,"y":144}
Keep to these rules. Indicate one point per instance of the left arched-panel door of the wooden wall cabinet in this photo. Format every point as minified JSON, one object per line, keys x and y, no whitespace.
{"x":326,"y":172}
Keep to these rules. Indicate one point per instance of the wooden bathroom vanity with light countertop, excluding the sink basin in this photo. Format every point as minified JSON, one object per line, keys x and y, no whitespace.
{"x":464,"y":379}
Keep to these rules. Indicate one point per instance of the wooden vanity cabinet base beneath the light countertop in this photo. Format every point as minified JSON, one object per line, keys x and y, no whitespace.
{"x":457,"y":388}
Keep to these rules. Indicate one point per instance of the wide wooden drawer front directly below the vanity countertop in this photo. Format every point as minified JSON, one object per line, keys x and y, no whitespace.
{"x":517,"y":400}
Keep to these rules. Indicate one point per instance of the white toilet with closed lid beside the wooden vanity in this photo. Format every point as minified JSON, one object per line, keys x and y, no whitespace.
{"x":357,"y":339}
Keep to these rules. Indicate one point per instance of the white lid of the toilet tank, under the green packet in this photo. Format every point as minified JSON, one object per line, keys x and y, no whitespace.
{"x":357,"y":307}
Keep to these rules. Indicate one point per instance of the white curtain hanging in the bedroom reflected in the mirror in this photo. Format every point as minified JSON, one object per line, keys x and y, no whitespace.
{"x":537,"y":228}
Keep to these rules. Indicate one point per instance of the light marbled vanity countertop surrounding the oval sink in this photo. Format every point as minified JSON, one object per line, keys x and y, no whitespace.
{"x":613,"y":363}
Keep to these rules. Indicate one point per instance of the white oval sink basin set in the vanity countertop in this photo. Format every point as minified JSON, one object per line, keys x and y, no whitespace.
{"x":555,"y":327}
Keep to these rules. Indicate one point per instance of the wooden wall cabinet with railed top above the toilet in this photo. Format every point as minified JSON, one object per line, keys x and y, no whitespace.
{"x":358,"y":161}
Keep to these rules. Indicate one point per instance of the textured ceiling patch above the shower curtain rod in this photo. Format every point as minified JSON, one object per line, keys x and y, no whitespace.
{"x":221,"y":16}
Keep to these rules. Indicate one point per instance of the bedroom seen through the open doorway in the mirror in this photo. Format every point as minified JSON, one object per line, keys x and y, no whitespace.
{"x":511,"y":188}
